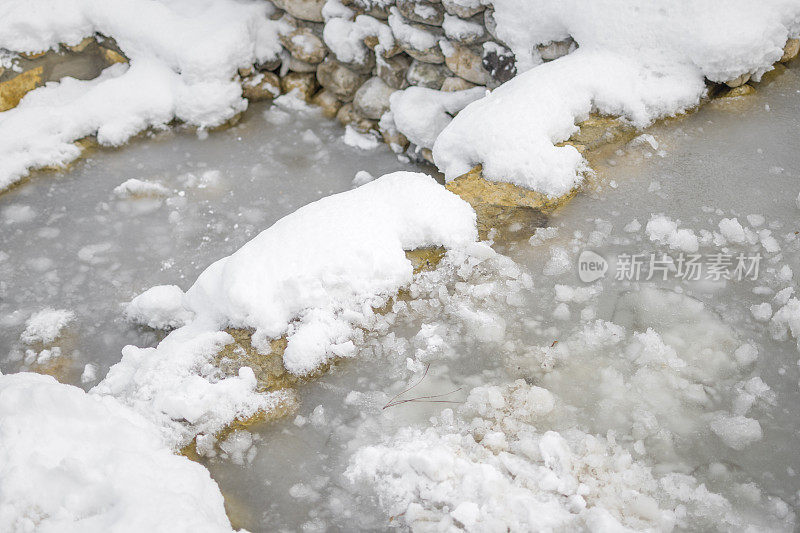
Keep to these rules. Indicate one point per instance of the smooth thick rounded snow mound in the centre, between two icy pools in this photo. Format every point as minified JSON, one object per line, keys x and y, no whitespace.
{"x":340,"y":252}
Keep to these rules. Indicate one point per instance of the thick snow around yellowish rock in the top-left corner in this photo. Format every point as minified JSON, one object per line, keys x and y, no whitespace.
{"x":183,"y":59}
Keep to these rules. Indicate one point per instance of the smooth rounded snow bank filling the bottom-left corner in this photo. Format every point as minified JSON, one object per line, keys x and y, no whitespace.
{"x":71,"y":461}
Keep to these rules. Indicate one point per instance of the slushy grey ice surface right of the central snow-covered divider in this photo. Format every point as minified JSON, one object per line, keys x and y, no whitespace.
{"x":673,"y":393}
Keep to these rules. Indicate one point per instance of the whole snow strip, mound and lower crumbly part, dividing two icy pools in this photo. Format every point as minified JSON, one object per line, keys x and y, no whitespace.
{"x":316,"y":277}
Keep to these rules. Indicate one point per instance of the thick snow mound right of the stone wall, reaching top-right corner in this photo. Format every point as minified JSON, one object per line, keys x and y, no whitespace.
{"x":642,"y":62}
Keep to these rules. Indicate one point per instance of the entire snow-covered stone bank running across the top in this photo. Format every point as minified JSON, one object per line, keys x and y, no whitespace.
{"x":530,"y":73}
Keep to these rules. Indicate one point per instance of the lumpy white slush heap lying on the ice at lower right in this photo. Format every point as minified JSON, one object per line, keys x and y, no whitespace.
{"x":512,"y":458}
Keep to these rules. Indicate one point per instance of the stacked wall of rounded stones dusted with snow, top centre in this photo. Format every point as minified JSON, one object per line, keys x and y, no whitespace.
{"x":377,"y":47}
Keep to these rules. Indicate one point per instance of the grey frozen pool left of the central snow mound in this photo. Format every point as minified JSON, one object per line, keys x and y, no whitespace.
{"x":80,"y":241}
